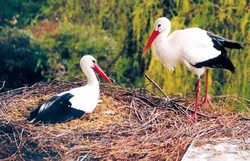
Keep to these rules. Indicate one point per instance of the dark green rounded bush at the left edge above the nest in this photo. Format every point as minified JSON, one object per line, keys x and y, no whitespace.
{"x":22,"y":60}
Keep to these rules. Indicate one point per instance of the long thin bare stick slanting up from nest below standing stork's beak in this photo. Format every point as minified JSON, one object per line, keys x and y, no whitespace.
{"x":176,"y":105}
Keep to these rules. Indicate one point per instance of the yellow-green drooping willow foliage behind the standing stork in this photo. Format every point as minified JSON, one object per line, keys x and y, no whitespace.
{"x":131,"y":22}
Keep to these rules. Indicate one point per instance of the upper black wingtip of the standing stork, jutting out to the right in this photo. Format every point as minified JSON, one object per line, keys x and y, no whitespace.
{"x":225,"y":42}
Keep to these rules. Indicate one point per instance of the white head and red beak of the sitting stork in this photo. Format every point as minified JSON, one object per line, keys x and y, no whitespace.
{"x":89,"y":63}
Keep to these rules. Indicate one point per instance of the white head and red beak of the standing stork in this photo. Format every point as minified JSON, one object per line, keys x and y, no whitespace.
{"x":162,"y":24}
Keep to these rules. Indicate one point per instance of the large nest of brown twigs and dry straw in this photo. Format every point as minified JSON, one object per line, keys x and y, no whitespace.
{"x":129,"y":124}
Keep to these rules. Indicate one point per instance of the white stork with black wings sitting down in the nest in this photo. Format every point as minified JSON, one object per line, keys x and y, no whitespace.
{"x":74,"y":103}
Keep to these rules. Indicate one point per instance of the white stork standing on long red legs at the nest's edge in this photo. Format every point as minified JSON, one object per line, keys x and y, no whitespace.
{"x":195,"y":48}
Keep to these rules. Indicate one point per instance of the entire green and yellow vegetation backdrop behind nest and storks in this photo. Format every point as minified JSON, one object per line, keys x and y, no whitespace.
{"x":42,"y":40}
